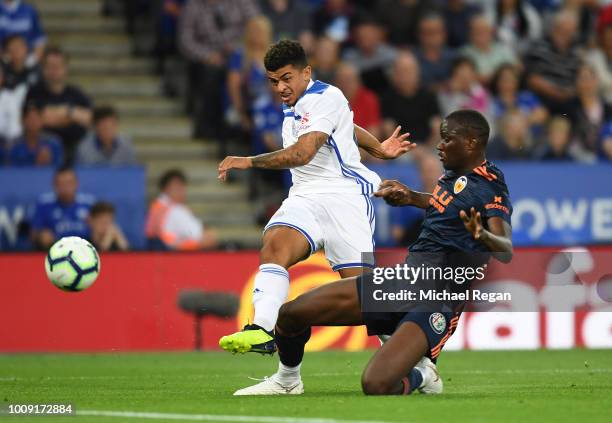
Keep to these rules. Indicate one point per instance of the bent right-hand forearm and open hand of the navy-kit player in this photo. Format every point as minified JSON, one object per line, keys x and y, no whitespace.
{"x":498,"y":238}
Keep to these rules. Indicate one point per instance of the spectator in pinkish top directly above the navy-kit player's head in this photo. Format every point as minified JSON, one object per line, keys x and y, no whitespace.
{"x":464,"y":91}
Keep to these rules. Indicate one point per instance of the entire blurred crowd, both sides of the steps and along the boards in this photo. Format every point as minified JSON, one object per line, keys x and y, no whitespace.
{"x":539,"y":70}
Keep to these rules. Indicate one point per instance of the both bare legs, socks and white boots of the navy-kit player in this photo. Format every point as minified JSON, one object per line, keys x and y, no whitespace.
{"x":337,"y":304}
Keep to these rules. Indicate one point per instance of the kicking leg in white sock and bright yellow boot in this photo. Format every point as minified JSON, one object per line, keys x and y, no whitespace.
{"x":283,"y":246}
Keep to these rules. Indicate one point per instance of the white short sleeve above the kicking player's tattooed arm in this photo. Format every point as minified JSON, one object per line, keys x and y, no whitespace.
{"x":321,"y":114}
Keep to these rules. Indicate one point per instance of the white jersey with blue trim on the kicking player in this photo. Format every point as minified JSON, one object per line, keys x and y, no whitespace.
{"x":337,"y":167}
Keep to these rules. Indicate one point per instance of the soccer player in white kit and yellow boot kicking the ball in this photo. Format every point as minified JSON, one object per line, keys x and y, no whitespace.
{"x":329,"y":203}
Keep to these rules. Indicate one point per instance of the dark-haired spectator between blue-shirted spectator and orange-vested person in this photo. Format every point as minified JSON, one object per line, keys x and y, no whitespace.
{"x":105,"y":234}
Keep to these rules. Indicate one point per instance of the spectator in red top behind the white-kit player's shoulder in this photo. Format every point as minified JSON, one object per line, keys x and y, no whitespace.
{"x":365,"y":104}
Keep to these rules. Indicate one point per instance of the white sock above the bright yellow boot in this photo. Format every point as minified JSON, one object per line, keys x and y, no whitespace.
{"x":270,"y":291}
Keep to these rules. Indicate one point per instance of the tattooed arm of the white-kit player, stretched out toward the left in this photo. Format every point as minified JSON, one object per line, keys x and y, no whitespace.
{"x":296,"y":155}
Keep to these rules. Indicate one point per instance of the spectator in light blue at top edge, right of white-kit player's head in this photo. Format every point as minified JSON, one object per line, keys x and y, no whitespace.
{"x":333,"y":19}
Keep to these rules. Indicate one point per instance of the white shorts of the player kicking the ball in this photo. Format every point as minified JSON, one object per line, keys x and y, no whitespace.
{"x":341,"y":224}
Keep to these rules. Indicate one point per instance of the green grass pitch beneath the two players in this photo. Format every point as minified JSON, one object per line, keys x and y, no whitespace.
{"x":526,"y":386}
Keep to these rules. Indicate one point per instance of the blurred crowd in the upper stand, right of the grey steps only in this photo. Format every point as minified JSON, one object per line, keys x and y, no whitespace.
{"x":539,"y":70}
